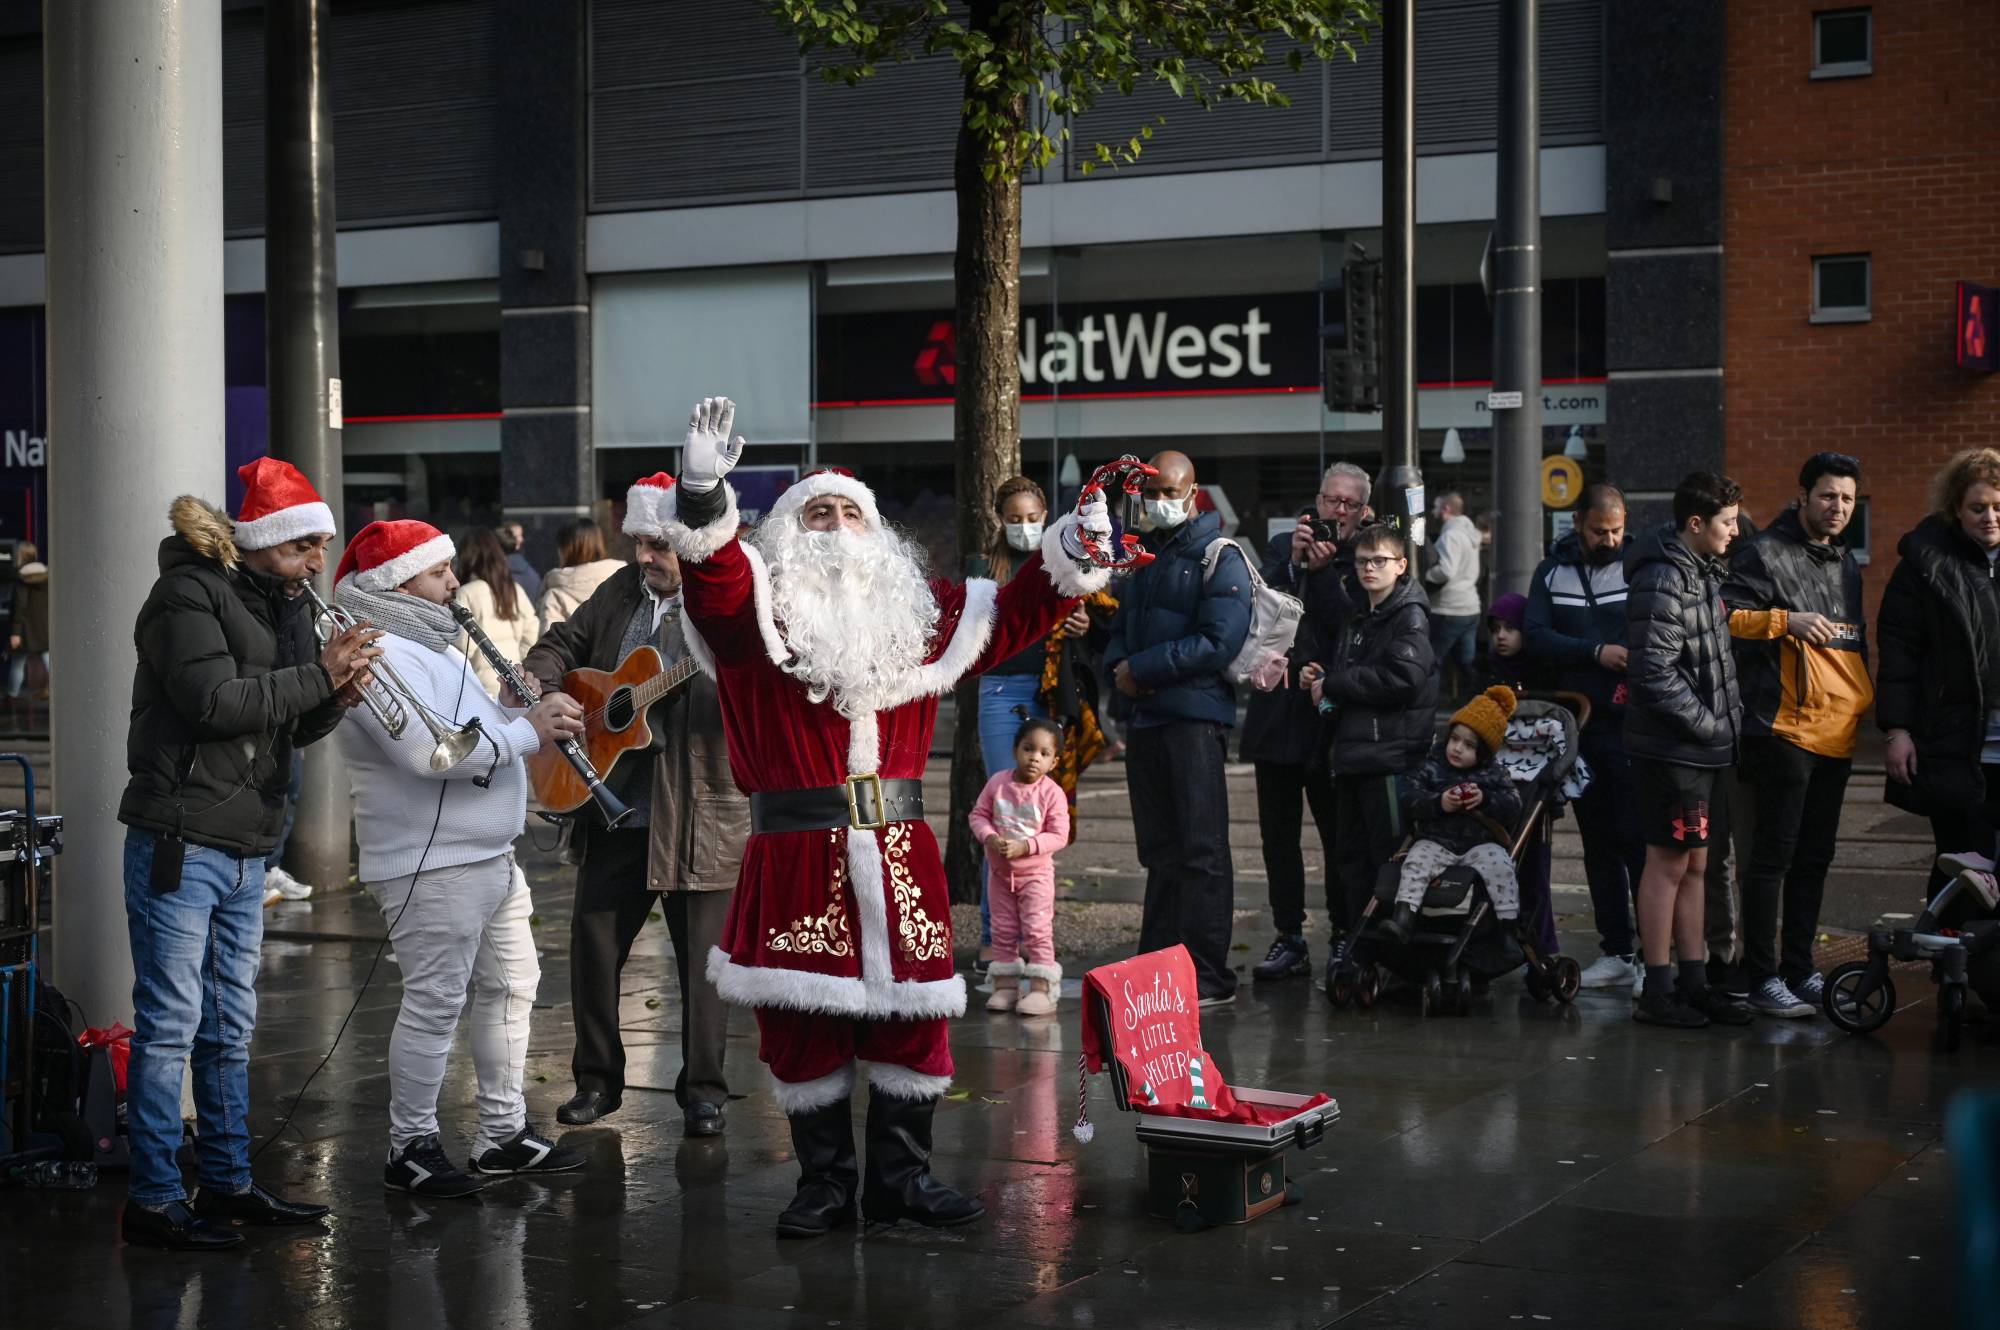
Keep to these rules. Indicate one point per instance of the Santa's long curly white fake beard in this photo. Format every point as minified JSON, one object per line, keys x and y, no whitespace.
{"x":855,"y":611}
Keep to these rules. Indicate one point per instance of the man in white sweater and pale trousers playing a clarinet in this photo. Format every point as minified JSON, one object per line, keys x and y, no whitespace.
{"x":437,"y":853}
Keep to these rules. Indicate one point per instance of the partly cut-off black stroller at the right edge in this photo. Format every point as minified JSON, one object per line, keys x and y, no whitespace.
{"x":1957,"y":933}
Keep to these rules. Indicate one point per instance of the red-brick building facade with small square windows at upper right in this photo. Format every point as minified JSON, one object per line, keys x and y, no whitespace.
{"x":1897,"y":159}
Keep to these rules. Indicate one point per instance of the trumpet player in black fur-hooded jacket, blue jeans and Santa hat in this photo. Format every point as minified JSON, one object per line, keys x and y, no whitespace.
{"x":227,"y":687}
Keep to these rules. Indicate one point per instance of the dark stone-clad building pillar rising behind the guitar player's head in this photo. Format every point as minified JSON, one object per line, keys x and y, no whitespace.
{"x":547,"y":455}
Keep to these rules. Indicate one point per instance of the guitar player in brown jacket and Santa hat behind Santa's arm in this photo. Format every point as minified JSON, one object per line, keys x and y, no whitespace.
{"x":683,"y":845}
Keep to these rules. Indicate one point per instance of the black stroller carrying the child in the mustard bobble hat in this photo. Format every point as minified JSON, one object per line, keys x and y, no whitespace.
{"x":1459,"y":941}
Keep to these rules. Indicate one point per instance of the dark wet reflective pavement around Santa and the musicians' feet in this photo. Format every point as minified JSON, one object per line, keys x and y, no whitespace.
{"x":1527,"y":1165}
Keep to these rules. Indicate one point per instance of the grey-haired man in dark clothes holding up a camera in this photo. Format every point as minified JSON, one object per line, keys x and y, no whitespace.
{"x":1283,"y":735}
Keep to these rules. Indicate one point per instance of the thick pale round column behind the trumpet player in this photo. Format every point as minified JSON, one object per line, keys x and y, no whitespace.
{"x":133,"y":103}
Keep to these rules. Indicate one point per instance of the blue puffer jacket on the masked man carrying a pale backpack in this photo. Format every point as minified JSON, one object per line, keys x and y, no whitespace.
{"x":1177,"y":633}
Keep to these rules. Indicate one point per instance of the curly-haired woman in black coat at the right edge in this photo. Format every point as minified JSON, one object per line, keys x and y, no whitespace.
{"x":1939,"y":685}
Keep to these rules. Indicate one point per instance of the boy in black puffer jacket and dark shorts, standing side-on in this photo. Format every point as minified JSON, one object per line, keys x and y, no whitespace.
{"x":1681,"y":729}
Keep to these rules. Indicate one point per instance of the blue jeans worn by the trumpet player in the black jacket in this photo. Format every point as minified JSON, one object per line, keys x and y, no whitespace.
{"x":195,"y":957}
